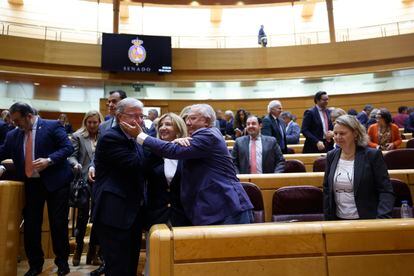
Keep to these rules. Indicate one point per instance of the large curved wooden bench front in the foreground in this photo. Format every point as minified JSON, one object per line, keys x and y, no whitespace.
{"x":357,"y":248}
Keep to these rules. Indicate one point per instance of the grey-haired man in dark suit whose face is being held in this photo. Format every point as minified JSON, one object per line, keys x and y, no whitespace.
{"x":118,"y":192}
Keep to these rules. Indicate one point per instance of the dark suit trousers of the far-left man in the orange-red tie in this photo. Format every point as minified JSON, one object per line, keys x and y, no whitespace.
{"x":58,"y":211}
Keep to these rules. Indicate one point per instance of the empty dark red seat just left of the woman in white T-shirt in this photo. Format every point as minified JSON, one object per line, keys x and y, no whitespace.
{"x":297,"y":203}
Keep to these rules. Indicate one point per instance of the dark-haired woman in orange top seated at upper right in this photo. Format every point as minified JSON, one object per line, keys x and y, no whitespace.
{"x":384,"y":134}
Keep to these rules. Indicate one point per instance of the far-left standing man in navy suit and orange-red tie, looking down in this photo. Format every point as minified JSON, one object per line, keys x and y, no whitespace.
{"x":39,"y":150}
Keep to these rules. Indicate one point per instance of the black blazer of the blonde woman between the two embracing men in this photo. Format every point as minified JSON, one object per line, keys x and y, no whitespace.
{"x":163,"y":203}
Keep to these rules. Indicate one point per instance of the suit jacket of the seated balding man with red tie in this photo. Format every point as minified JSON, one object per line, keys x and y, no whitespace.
{"x":272,"y":157}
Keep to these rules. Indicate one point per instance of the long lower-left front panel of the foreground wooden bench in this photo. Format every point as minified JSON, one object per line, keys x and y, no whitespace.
{"x":312,"y":266}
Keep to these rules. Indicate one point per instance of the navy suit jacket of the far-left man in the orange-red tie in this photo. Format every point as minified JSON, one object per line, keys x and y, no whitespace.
{"x":52,"y":142}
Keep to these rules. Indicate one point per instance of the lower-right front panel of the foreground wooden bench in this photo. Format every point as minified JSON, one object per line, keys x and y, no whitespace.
{"x":378,"y":265}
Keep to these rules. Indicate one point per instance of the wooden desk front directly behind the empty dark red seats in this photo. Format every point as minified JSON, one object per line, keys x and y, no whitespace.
{"x":269,"y":183}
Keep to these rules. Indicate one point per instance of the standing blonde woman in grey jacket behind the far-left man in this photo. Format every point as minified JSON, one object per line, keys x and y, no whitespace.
{"x":84,"y":142}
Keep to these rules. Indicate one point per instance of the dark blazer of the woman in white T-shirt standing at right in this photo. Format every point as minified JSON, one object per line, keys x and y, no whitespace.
{"x":373,"y":191}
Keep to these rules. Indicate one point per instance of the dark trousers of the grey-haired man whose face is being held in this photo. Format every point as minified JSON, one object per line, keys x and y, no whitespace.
{"x":120,"y":247}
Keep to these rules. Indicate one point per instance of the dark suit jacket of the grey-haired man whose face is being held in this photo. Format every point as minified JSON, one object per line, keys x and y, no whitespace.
{"x":118,"y":189}
